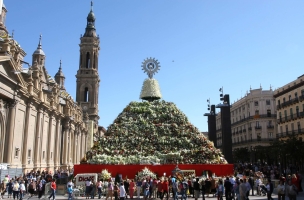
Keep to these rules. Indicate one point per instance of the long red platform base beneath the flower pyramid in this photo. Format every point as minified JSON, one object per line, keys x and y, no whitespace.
{"x":131,"y":170}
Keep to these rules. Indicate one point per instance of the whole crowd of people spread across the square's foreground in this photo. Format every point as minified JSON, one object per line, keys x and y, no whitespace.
{"x":248,"y":180}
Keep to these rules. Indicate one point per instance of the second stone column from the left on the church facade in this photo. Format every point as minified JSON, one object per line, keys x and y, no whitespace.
{"x":25,"y":139}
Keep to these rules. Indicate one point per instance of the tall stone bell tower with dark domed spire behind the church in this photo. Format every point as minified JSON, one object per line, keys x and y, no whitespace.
{"x":87,"y":85}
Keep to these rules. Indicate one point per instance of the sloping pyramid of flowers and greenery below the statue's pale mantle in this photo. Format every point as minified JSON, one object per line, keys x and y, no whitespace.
{"x":153,"y":132}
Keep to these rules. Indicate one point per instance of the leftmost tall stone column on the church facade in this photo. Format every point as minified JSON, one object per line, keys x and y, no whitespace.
{"x":10,"y":131}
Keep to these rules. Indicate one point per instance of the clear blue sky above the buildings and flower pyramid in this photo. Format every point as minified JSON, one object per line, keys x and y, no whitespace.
{"x":234,"y":44}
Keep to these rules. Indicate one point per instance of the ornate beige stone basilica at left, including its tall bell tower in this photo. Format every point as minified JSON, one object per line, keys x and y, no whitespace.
{"x":41,"y":126}
